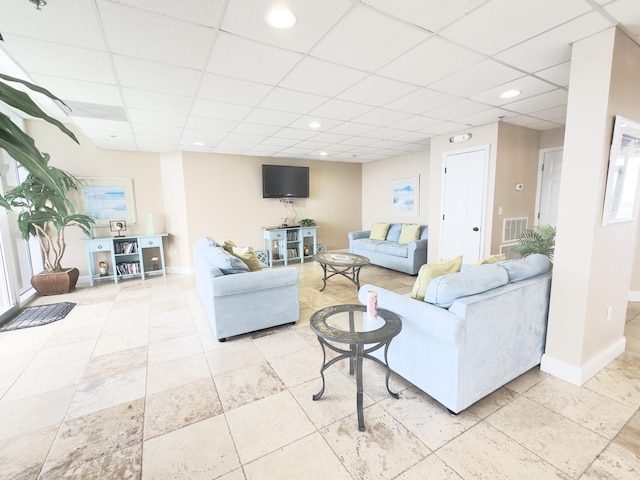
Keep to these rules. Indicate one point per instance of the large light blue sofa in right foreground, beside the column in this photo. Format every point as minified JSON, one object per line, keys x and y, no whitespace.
{"x":476,"y":330}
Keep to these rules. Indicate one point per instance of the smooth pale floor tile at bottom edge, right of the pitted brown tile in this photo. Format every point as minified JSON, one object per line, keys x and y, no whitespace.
{"x":200,"y":451}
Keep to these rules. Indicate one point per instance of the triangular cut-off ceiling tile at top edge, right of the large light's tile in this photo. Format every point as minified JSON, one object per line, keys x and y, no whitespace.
{"x":432,"y":15}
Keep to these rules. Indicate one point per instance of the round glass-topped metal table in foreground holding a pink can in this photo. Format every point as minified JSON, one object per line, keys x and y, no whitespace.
{"x":350,"y":325}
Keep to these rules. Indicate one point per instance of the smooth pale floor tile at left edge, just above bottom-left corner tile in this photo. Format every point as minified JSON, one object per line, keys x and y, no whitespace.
{"x":34,"y":413}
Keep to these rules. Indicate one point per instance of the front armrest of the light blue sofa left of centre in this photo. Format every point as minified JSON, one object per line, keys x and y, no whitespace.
{"x":252,"y":282}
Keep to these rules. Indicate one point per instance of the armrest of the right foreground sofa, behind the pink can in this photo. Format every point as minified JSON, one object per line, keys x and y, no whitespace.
{"x":434,"y":321}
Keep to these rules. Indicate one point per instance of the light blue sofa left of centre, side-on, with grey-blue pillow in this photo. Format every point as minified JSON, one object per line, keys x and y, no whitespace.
{"x":238,"y":301}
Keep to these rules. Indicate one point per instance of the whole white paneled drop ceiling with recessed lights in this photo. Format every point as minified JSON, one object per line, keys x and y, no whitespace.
{"x":381,"y":76}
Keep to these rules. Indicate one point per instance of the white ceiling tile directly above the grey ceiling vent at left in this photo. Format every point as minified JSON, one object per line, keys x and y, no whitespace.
{"x":79,"y":90}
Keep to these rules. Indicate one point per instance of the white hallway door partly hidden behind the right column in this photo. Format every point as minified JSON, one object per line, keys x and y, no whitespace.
{"x":549,"y":186}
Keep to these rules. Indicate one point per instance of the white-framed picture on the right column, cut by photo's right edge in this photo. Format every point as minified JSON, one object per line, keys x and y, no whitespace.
{"x":623,"y":174}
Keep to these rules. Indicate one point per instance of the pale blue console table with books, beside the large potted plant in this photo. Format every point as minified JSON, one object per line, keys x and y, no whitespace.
{"x":131,"y":256}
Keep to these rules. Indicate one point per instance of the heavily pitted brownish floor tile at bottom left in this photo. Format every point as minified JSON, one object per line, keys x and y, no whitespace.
{"x":89,"y":437}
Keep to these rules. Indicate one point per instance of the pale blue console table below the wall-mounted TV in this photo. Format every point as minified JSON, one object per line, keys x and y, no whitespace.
{"x":288,"y":243}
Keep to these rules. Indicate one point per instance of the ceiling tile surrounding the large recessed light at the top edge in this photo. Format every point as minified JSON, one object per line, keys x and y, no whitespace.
{"x":247,"y":18}
